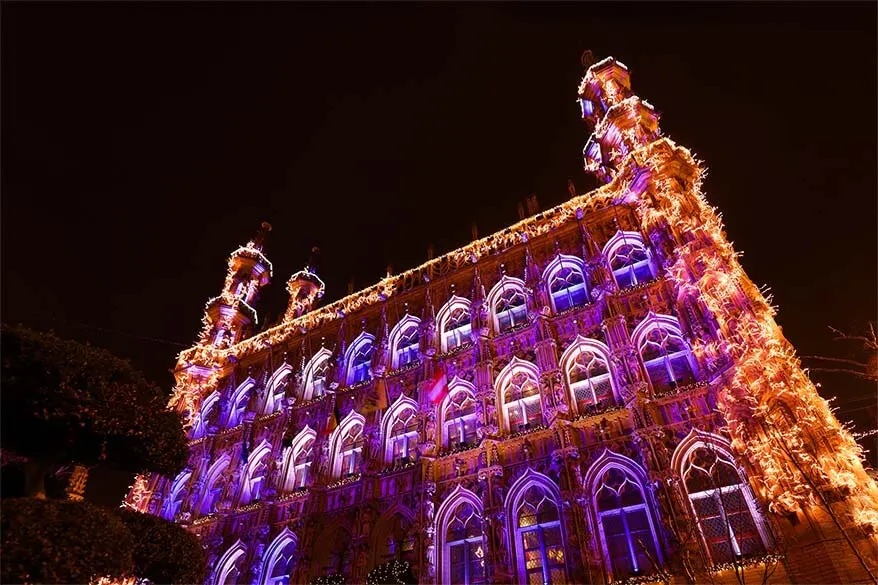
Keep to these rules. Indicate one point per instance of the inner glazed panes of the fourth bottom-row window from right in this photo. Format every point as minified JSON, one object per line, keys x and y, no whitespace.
{"x":464,"y":551}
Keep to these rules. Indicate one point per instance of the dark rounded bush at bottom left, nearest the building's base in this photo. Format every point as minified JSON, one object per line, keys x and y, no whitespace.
{"x":163,"y":551}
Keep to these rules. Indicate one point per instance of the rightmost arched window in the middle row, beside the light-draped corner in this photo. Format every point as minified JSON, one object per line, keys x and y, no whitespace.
{"x":666,"y":355}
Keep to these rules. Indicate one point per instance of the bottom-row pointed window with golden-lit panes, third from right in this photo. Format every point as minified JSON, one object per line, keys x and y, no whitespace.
{"x":538,"y":538}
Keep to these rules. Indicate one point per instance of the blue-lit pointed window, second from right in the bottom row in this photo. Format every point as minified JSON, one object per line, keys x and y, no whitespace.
{"x":628,"y":536}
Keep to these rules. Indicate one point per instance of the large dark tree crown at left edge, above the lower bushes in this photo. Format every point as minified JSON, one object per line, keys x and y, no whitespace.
{"x":63,"y":402}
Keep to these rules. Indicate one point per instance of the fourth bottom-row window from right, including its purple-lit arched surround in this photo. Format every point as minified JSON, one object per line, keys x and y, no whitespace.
{"x":462,"y":551}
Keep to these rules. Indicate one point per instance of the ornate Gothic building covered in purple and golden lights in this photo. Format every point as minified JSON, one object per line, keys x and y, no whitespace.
{"x":596,"y":394}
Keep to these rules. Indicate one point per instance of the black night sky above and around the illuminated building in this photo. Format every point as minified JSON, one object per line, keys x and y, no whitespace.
{"x":141,"y":144}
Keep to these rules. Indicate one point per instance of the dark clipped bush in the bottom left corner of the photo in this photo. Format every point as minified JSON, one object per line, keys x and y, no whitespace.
{"x":61,"y":541}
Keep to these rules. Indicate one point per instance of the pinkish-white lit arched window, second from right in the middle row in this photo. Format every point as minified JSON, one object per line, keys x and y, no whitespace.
{"x":586,"y":366}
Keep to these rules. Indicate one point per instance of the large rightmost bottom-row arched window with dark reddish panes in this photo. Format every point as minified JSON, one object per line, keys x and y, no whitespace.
{"x":724,"y":508}
